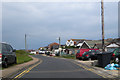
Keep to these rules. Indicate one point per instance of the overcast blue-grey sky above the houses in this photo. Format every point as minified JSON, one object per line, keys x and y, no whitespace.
{"x":44,"y":22}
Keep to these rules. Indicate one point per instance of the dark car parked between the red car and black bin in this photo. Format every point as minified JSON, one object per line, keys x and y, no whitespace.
{"x":91,"y":54}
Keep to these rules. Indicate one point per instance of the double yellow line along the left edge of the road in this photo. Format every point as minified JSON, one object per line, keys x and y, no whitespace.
{"x":26,"y":71}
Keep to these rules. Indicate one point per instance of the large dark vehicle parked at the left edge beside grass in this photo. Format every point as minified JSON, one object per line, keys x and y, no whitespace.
{"x":8,"y":54}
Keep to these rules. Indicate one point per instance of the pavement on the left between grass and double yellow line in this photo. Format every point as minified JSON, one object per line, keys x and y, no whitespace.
{"x":6,"y":73}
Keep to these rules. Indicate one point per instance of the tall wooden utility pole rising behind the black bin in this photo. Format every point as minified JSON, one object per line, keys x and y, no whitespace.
{"x":102,"y":19}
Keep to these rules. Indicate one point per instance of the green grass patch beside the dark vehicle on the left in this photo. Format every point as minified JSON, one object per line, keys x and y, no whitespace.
{"x":22,"y":56}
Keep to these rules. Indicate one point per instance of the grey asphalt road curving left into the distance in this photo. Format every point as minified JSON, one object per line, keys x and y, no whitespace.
{"x":50,"y":67}
